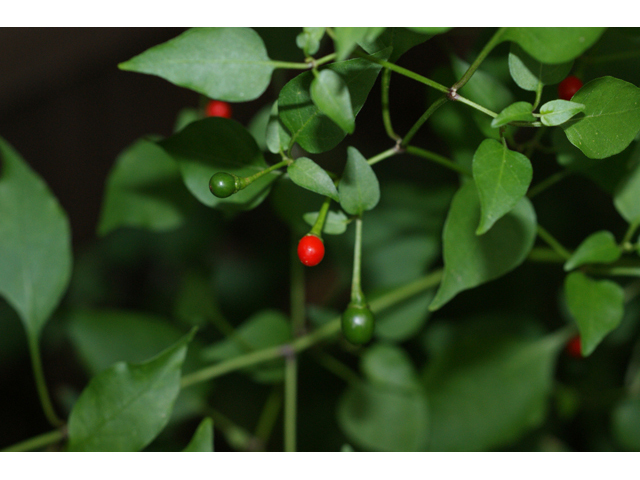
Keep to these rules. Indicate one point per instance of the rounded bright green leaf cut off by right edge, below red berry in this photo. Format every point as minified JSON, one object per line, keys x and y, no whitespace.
{"x":611,"y":118}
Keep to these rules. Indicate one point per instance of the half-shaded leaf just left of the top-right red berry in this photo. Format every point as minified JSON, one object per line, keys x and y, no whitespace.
{"x":529,"y":73}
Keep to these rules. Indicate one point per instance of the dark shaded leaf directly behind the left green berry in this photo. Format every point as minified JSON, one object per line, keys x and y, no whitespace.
{"x":214,"y":145}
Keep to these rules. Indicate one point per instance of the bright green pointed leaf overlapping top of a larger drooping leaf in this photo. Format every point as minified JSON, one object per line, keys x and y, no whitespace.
{"x":502,"y":177}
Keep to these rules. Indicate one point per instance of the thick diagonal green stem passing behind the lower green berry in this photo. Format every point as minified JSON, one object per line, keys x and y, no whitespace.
{"x":300,"y":344}
